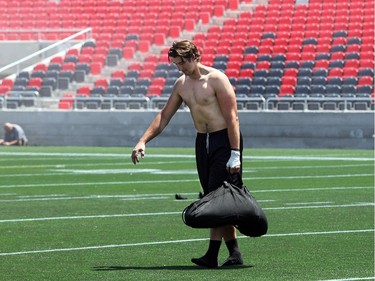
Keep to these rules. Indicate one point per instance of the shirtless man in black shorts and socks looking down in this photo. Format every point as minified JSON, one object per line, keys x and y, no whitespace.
{"x":212,"y":103}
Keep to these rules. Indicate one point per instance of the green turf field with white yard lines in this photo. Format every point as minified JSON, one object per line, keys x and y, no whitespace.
{"x":84,"y":213}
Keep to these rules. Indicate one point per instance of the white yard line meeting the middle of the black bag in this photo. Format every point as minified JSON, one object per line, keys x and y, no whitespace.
{"x":179,"y":213}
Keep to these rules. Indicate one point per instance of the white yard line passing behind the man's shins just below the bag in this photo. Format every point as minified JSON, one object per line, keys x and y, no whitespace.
{"x":177,"y":241}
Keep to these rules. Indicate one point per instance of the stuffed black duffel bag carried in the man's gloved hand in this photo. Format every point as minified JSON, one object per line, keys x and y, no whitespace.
{"x":227,"y":205}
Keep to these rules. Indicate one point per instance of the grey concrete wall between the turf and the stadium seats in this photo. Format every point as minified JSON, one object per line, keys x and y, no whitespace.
{"x":260,"y":129}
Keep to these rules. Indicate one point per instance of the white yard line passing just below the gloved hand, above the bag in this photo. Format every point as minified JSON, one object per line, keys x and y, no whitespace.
{"x":186,"y":180}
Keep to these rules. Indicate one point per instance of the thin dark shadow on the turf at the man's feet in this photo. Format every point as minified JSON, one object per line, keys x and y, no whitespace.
{"x":186,"y":267}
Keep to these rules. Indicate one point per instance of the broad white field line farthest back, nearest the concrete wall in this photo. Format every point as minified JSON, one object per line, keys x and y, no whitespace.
{"x":118,"y":155}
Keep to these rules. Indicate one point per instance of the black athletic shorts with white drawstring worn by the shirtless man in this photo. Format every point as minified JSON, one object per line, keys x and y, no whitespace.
{"x":212,"y":152}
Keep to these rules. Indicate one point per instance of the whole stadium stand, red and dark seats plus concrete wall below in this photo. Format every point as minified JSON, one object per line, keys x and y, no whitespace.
{"x":302,"y":70}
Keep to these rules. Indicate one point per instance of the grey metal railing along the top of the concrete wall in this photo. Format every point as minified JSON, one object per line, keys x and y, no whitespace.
{"x":32,"y":101}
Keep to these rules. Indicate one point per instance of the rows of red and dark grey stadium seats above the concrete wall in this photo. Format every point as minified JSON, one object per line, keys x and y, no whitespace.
{"x":278,"y":55}
